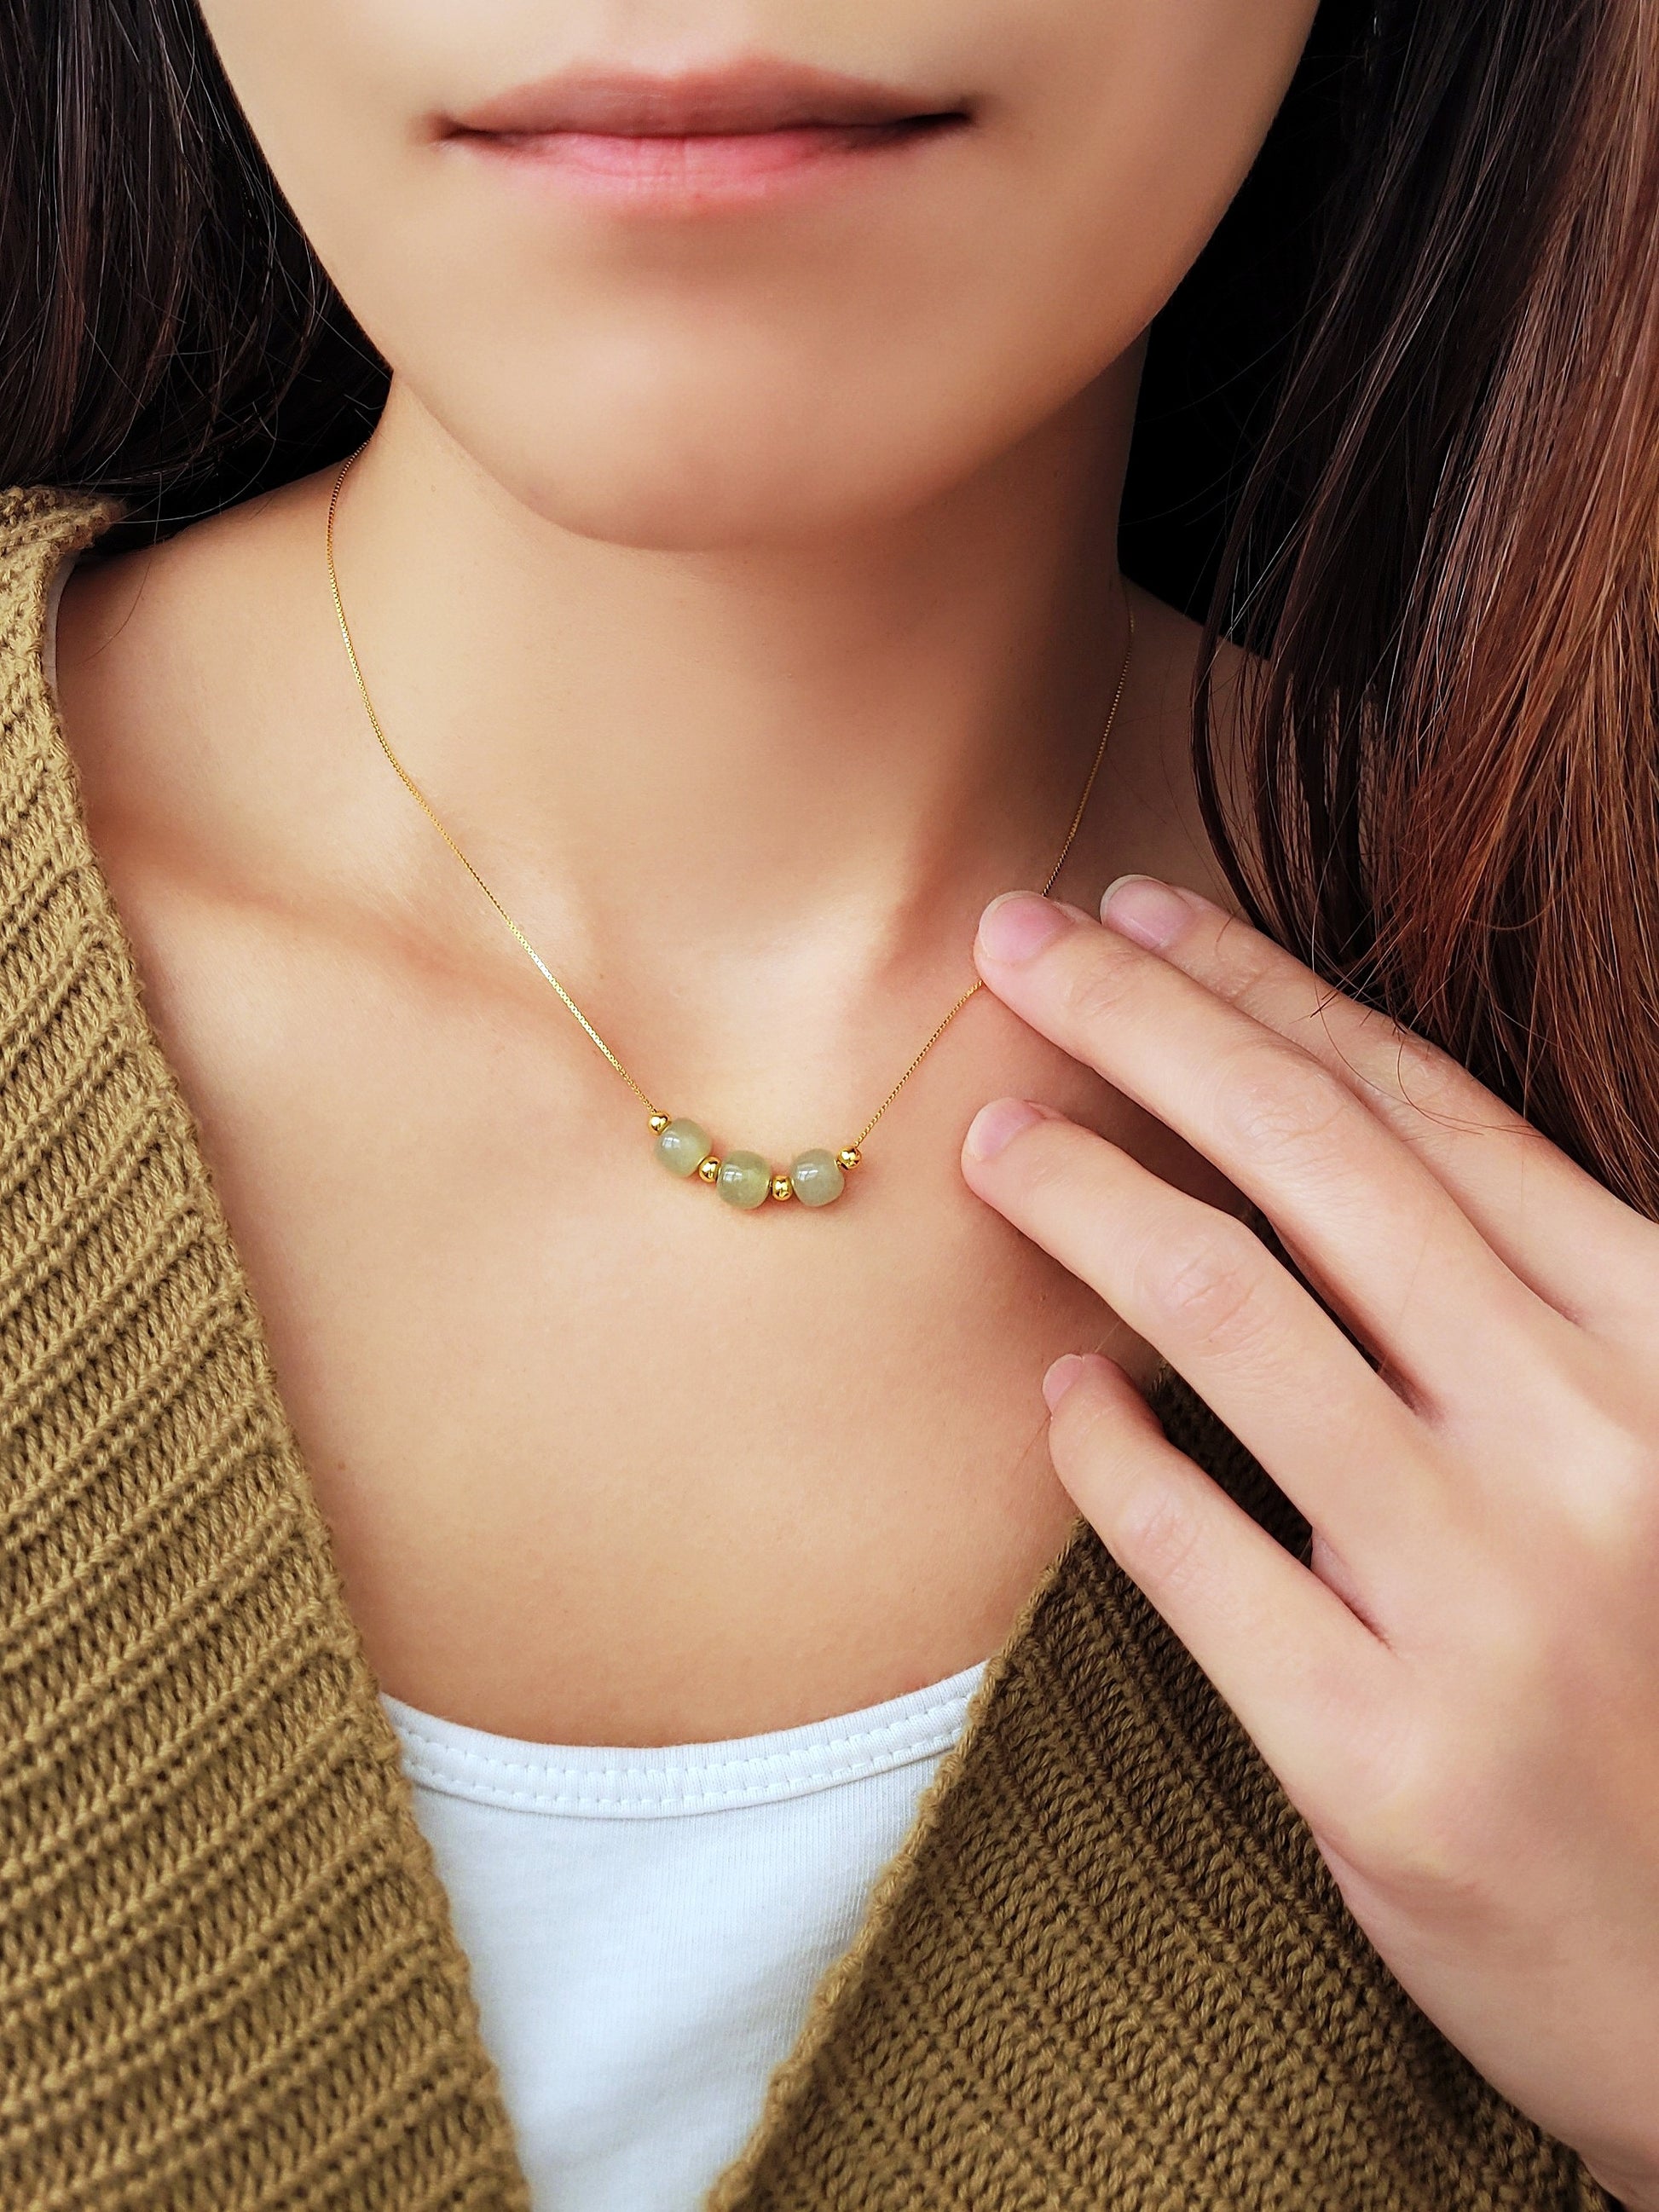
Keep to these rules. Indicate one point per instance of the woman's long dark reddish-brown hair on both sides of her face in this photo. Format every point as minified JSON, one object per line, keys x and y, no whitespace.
{"x":1399,"y":439}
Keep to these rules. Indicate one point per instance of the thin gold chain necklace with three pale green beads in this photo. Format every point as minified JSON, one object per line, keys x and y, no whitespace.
{"x":685,"y":1147}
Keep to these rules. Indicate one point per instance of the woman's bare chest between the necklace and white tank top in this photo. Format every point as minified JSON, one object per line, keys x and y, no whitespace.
{"x":603,"y":1459}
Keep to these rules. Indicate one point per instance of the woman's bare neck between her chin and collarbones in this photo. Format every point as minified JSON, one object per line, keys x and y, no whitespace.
{"x":742,"y":744}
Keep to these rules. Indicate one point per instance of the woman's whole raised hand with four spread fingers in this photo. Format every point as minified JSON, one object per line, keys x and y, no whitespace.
{"x":1461,"y":1691}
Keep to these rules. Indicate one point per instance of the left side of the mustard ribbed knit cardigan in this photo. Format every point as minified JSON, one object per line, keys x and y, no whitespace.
{"x":229,"y":1968}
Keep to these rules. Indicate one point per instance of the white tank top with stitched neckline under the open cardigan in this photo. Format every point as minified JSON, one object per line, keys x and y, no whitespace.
{"x":647,"y":1928}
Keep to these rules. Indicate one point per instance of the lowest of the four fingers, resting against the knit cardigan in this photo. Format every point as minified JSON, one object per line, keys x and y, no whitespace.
{"x":1306,"y":1678}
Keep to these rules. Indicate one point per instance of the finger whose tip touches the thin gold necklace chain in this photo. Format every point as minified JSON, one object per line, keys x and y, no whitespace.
{"x":1373,"y":1227}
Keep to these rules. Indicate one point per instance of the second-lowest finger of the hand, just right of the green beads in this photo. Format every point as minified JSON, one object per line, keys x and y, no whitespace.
{"x":1209,"y":1295}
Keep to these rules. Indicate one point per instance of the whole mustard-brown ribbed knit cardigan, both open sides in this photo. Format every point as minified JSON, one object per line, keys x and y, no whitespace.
{"x":1107,"y":1970}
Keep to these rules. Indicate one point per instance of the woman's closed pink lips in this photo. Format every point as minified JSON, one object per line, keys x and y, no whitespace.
{"x":702,"y":136}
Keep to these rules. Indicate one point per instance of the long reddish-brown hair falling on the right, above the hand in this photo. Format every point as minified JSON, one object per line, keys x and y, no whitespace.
{"x":1448,"y":567}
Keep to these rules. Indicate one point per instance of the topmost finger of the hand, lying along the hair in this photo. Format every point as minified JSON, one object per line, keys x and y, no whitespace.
{"x":1543,"y":1215}
